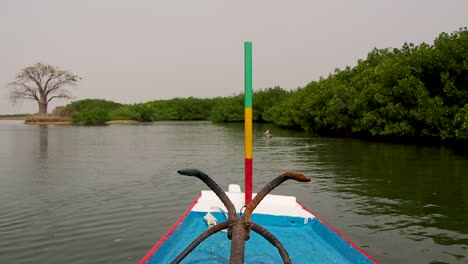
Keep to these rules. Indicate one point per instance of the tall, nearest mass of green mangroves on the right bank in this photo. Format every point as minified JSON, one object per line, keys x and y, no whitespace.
{"x":415,"y":91}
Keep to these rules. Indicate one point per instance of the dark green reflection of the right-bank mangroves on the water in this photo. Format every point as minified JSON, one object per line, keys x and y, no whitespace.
{"x":417,"y":195}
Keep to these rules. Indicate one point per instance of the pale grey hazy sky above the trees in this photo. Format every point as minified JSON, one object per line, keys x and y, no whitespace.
{"x":138,"y":51}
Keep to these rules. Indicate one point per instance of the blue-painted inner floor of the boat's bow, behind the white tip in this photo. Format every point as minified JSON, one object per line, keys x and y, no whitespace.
{"x":311,"y":242}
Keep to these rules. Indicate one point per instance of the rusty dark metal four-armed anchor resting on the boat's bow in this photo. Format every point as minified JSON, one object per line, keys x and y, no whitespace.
{"x":239,"y":226}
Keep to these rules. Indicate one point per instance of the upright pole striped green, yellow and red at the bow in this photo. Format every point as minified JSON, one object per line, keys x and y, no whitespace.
{"x":248,"y":120}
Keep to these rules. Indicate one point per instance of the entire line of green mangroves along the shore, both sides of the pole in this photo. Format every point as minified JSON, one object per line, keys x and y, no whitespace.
{"x":414,"y":91}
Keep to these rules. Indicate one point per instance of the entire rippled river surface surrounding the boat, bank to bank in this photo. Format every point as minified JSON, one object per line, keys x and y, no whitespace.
{"x":72,"y":194}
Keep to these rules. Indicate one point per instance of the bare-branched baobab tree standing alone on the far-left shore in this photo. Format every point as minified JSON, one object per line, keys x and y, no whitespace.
{"x":42,"y":83}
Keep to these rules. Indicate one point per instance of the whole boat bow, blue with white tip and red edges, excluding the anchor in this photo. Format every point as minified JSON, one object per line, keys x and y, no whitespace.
{"x":306,"y":237}
